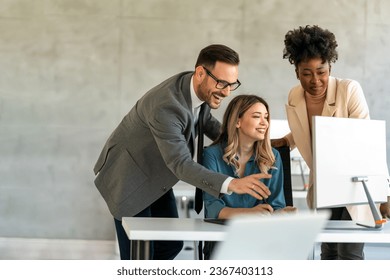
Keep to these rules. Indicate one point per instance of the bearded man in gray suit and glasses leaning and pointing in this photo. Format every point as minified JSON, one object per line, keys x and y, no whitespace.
{"x":153,"y":147}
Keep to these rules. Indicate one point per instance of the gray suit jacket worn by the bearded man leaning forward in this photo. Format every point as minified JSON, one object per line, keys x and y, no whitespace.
{"x":152,"y":148}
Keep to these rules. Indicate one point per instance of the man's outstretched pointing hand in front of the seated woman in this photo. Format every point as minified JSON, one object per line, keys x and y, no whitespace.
{"x":251,"y":185}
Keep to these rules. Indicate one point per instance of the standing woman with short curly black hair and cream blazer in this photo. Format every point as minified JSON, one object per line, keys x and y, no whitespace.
{"x":312,"y":50}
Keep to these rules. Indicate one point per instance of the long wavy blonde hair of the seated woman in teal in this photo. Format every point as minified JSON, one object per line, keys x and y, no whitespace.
{"x":264,"y":156}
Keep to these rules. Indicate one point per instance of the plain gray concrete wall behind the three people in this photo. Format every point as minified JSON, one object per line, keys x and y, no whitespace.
{"x":70,"y":70}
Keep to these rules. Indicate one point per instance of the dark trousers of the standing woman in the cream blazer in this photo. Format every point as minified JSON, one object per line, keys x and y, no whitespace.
{"x":341,"y":251}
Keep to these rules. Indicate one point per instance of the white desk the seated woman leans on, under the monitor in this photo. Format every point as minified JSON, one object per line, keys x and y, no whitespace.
{"x":142,"y":230}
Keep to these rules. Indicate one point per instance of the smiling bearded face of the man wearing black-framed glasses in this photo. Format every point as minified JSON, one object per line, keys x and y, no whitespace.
{"x":205,"y":83}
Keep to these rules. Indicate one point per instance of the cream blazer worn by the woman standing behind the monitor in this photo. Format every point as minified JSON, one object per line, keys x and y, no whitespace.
{"x":344,"y":99}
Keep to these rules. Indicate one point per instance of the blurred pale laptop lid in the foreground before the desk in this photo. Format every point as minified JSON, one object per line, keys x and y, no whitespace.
{"x":274,"y":237}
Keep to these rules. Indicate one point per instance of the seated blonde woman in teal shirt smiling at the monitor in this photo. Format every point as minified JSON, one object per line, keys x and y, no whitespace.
{"x":244,"y":148}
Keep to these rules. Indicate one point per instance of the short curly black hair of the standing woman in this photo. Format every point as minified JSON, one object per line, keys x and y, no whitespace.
{"x":310,"y":42}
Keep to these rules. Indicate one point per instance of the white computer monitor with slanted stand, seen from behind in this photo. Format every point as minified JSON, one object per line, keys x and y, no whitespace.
{"x":349,"y":163}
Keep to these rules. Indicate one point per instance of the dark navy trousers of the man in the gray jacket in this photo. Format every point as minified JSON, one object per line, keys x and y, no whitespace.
{"x":164,"y":207}
